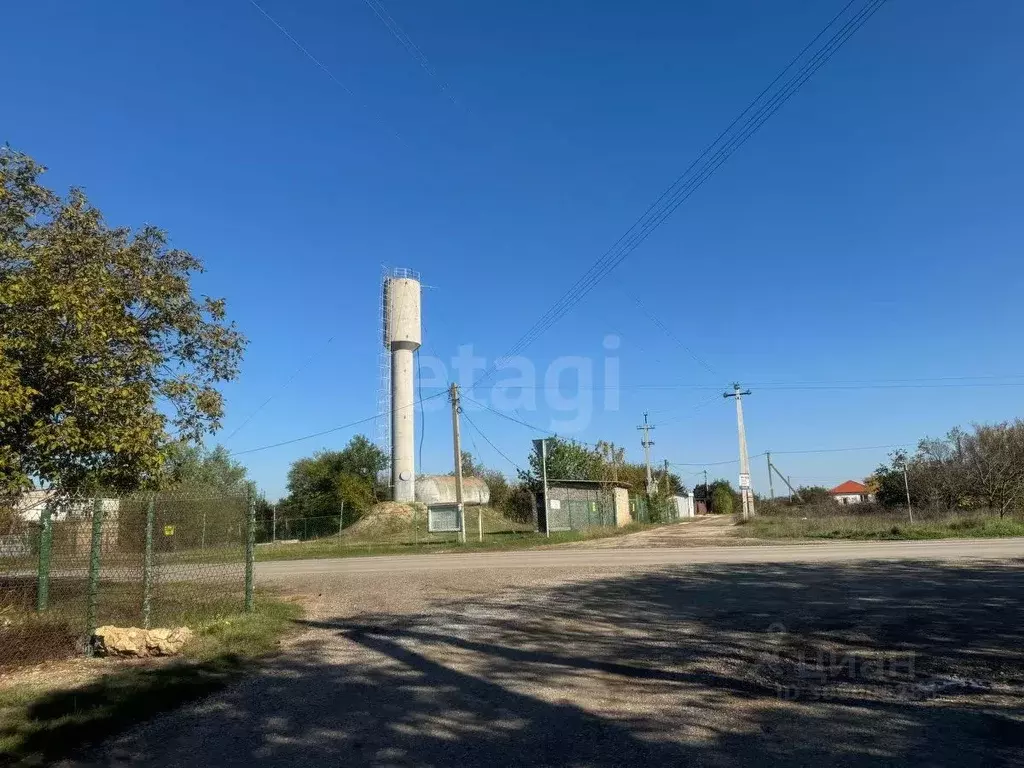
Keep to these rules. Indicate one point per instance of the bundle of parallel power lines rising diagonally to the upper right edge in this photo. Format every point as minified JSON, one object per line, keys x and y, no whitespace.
{"x":679,"y":191}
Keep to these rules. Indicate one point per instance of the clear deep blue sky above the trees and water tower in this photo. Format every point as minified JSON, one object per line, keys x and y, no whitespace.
{"x":872,"y":231}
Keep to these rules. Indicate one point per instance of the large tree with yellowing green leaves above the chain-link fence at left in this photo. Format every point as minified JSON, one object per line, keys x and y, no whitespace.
{"x":104,"y":345}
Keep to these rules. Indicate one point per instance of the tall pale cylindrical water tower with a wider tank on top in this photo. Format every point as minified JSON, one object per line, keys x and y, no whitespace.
{"x":402,"y":336}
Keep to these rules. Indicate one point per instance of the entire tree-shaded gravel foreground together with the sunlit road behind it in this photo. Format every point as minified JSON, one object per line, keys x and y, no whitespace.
{"x":906,"y":654}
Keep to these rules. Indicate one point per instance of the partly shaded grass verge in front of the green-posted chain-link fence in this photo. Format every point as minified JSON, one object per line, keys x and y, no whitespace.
{"x":45,"y":722}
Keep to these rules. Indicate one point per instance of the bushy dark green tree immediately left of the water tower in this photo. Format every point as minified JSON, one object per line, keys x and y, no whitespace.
{"x":318,"y":486}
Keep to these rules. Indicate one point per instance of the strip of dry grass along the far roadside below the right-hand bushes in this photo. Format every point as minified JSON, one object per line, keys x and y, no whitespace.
{"x":881,"y":528}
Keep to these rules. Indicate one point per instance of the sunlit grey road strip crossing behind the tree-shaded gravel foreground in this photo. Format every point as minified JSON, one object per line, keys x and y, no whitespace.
{"x":951,"y":549}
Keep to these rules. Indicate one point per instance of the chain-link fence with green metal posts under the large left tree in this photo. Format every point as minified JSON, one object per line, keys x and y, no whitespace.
{"x":149,"y":561}
